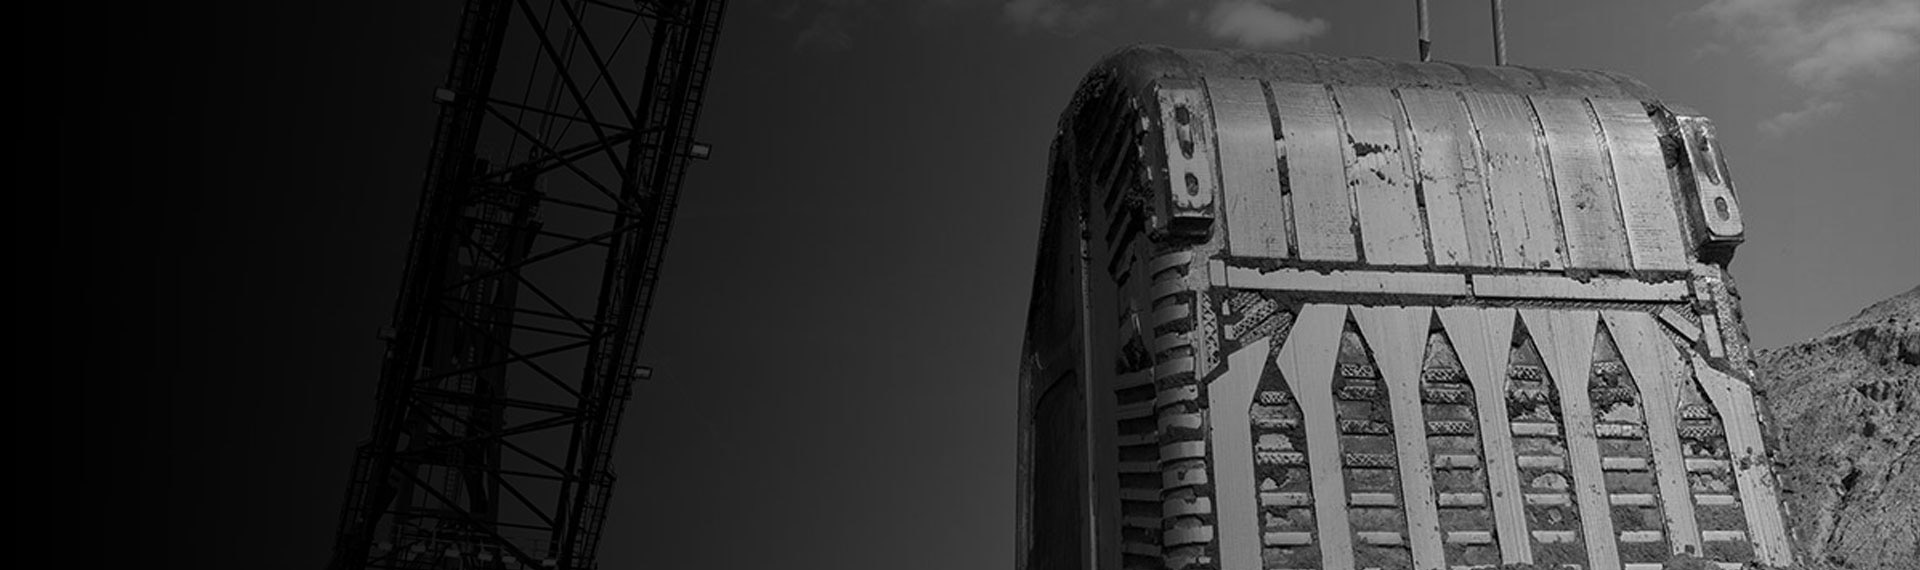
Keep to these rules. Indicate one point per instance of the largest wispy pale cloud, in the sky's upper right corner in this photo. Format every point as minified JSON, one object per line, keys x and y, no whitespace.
{"x":1829,"y":49}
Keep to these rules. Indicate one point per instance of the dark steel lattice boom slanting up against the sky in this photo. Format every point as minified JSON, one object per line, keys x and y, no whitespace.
{"x":565,"y":130}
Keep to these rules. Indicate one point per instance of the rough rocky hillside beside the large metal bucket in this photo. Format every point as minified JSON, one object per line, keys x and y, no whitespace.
{"x":1848,"y":414}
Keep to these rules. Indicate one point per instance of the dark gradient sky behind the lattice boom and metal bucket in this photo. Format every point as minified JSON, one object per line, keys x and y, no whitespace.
{"x":840,"y":316}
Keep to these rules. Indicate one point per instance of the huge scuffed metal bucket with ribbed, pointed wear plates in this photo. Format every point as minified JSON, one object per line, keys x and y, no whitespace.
{"x":1397,"y":316}
